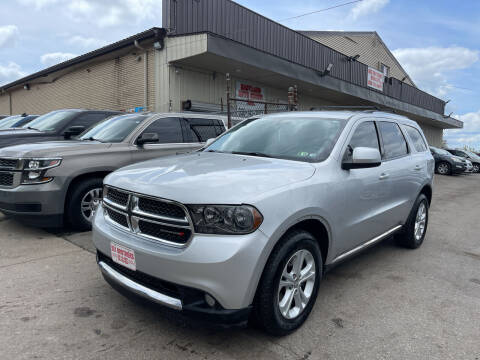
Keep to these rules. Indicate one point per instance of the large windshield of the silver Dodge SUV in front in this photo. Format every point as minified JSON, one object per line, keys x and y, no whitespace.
{"x":309,"y":139}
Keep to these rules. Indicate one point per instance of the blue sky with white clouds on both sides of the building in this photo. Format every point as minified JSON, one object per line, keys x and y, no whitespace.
{"x":436,"y":41}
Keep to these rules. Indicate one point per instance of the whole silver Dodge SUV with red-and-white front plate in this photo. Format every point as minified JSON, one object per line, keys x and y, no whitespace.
{"x":249,"y":225}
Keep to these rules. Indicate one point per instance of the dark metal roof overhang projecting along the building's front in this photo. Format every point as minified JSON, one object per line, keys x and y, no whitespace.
{"x":227,"y":56}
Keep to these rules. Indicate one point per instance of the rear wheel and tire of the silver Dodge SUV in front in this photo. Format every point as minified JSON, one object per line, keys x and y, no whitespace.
{"x":415,"y":228}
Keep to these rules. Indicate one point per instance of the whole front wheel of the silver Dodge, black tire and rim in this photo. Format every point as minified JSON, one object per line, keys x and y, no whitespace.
{"x":289,"y":285}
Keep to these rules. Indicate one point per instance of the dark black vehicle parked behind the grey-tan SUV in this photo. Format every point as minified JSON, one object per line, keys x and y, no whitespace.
{"x":55,"y":125}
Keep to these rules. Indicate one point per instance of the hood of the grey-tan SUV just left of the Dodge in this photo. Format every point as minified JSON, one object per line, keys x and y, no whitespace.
{"x":52,"y":148}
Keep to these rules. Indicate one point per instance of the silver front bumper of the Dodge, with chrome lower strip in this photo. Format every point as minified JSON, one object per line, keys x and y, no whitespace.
{"x":225,"y":267}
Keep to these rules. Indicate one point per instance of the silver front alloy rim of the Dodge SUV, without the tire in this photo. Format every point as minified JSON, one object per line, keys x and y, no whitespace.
{"x":297,"y":284}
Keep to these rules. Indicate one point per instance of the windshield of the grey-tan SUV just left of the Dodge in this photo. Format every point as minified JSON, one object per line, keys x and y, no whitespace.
{"x":114,"y":129}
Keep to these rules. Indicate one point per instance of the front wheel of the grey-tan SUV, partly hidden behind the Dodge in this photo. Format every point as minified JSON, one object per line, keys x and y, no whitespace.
{"x":79,"y":213}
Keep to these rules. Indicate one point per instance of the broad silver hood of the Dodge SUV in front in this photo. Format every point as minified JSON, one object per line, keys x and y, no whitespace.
{"x":209,"y":178}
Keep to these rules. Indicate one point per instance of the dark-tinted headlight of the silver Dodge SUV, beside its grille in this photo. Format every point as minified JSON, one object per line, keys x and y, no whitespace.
{"x":225,"y":219}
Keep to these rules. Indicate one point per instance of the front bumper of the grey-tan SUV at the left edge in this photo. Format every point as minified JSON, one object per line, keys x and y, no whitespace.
{"x":40,"y":205}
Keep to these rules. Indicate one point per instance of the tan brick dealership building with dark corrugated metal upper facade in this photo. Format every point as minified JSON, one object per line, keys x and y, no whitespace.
{"x":201,"y":41}
